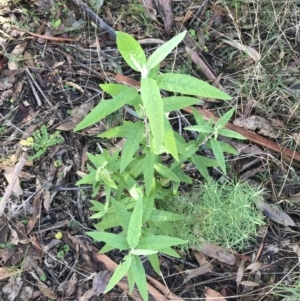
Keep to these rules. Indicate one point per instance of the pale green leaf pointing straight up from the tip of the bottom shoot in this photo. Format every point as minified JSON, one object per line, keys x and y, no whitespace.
{"x":135,"y":225}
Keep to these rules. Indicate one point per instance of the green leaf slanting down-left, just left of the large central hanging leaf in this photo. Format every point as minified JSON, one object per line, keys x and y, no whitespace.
{"x":133,"y":139}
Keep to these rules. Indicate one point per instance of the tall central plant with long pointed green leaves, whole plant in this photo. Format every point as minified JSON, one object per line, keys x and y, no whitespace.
{"x":136,"y":181}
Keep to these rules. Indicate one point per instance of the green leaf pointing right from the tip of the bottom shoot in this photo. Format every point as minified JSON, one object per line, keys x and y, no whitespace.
{"x":157,"y":242}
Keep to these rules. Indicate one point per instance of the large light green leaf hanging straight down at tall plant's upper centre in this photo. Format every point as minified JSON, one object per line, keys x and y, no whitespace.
{"x":153,"y":105}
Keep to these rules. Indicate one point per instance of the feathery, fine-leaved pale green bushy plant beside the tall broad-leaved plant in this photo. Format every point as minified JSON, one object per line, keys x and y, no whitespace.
{"x":224,"y":214}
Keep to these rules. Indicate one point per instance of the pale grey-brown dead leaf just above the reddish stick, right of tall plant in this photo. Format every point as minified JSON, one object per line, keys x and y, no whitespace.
{"x":253,"y":123}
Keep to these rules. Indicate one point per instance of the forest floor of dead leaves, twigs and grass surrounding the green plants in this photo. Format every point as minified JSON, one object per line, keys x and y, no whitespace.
{"x":53,"y":58}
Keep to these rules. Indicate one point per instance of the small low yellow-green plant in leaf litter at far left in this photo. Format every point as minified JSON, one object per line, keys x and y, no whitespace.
{"x":40,"y":141}
